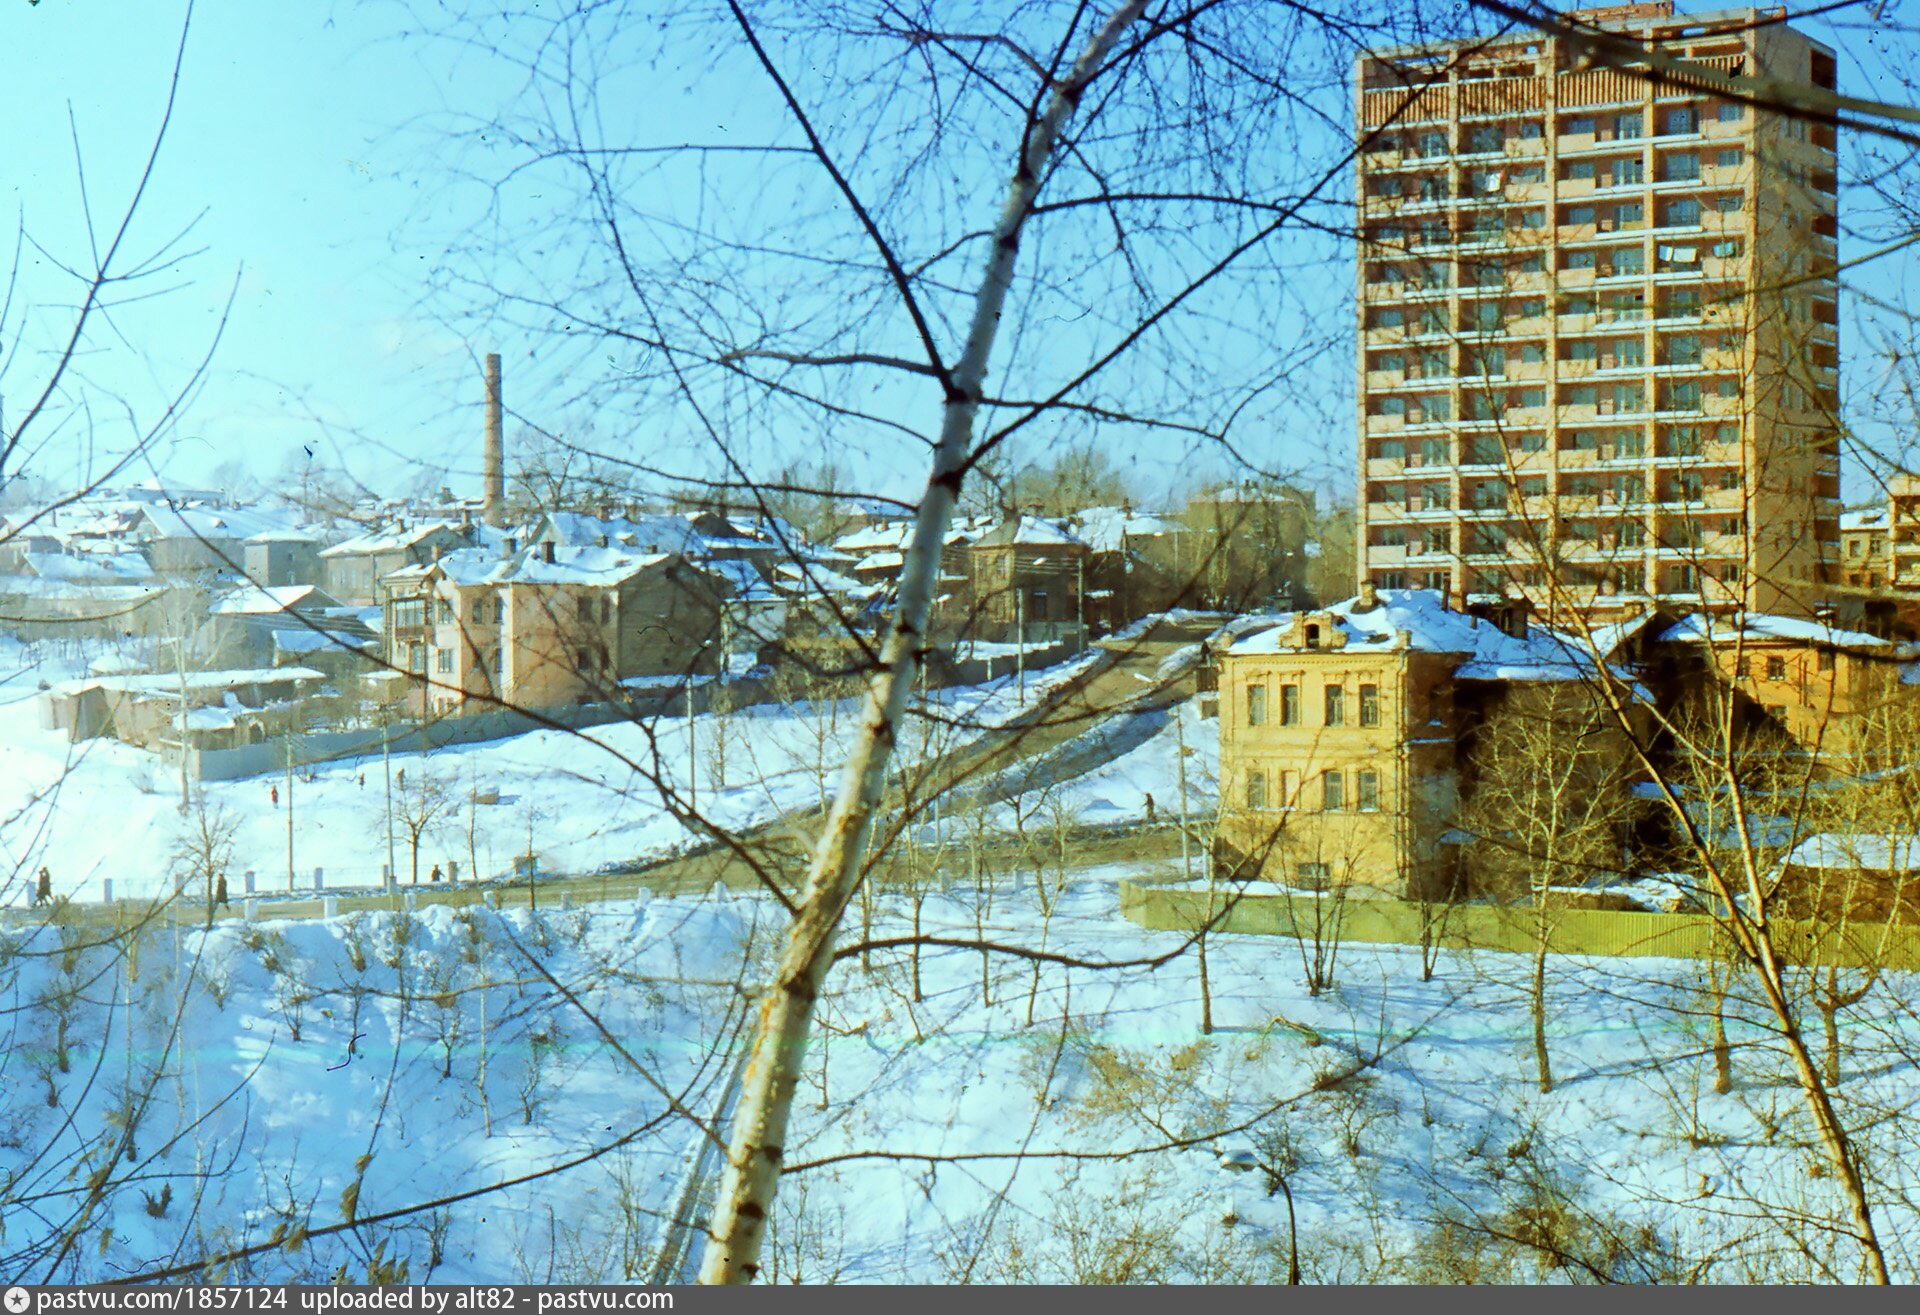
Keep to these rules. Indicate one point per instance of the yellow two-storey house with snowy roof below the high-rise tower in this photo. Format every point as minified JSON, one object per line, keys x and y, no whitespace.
{"x":1345,"y":734}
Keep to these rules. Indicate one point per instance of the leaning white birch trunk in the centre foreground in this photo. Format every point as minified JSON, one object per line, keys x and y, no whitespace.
{"x":759,"y":1136}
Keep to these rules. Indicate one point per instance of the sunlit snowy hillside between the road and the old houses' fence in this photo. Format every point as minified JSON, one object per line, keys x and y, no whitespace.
{"x":103,"y":811}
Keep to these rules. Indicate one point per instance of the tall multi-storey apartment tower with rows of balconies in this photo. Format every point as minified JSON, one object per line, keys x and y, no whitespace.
{"x":1598,"y":322}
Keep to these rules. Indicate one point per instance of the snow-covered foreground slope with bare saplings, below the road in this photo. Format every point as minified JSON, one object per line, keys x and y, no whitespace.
{"x":289,"y":1080}
